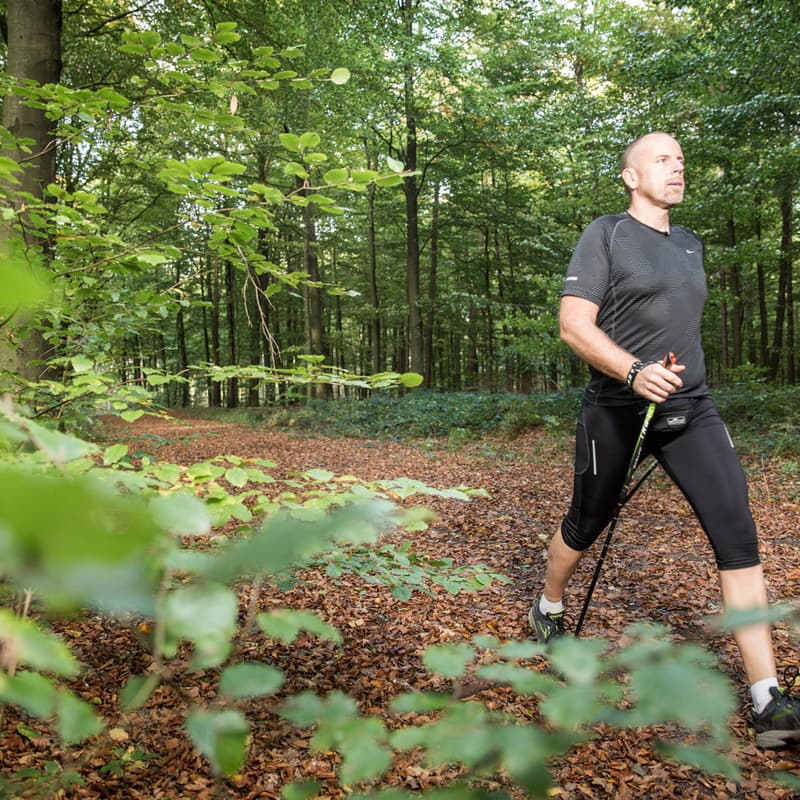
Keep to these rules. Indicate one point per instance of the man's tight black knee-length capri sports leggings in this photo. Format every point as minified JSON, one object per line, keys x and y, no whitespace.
{"x":700,"y":459}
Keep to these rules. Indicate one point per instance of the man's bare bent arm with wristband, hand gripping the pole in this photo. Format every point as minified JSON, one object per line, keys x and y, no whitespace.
{"x":578,"y":324}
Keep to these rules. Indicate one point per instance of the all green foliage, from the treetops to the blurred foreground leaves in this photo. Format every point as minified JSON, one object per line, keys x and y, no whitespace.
{"x":193,"y":183}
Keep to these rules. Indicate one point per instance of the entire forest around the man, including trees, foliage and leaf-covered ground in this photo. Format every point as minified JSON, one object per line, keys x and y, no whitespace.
{"x":303,"y":208}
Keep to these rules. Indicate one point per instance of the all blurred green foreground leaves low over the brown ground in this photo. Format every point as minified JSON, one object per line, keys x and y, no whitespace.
{"x":140,"y":533}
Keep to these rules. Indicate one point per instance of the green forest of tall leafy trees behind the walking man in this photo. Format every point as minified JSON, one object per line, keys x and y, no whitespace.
{"x":226,"y":198}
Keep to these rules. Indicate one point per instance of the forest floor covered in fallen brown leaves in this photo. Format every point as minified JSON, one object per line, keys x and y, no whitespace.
{"x":659,"y":570}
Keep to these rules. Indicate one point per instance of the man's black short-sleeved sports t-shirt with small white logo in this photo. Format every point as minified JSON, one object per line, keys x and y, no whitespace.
{"x":650,"y":288}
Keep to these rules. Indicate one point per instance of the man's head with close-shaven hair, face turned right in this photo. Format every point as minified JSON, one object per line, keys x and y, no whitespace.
{"x":655,"y":171}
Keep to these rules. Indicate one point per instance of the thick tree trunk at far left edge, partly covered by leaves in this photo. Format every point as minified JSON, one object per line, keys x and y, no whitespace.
{"x":33,"y":35}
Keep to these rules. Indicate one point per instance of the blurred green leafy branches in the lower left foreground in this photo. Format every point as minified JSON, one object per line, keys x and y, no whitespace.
{"x":110,"y":537}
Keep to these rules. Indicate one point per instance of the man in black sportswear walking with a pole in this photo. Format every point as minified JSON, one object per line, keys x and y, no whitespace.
{"x":634,"y":292}
